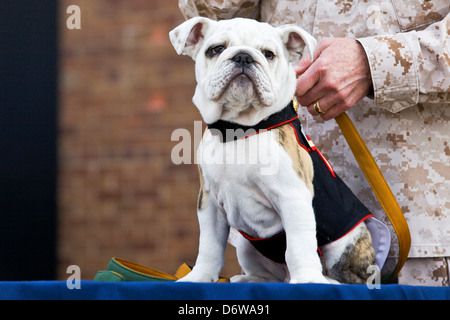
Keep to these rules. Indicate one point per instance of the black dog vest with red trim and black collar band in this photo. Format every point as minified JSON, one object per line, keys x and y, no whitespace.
{"x":336,"y":208}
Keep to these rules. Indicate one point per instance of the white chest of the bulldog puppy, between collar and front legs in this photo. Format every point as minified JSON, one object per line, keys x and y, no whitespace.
{"x":236,"y":175}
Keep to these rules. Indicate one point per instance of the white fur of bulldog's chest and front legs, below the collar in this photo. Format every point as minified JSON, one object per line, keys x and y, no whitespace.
{"x":259,"y":205}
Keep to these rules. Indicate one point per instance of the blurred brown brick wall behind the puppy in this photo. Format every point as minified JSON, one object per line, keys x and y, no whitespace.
{"x":123,"y":91}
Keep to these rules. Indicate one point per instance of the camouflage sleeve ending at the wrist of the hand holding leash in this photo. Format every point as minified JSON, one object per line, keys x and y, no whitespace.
{"x":410,"y":68}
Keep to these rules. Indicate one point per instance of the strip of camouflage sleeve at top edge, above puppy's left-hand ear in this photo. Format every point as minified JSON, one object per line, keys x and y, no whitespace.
{"x":220,"y":9}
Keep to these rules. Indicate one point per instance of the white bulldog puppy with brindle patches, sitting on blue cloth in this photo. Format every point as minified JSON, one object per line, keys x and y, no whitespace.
{"x":245,"y":79}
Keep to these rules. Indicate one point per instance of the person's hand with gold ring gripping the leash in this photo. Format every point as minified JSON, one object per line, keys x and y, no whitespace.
{"x":338,"y":77}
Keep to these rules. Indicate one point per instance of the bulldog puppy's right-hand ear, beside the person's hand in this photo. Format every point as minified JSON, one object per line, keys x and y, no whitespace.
{"x":295,"y":40}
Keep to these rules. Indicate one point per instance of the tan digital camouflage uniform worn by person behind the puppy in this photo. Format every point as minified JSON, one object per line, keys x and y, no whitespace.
{"x":406,"y":122}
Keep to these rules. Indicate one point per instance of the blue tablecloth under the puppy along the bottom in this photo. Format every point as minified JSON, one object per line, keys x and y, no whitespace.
{"x":213,"y":291}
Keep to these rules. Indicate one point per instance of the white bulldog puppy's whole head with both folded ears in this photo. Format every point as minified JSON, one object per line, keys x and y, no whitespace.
{"x":243,"y":67}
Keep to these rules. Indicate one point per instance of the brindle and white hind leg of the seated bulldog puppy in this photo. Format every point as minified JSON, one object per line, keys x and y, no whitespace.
{"x":347,"y":260}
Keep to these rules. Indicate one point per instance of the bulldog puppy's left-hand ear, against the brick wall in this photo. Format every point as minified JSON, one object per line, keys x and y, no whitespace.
{"x":188,"y":36}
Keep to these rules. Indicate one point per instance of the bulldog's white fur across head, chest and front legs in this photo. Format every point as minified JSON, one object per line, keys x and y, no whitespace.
{"x":253,"y":190}
